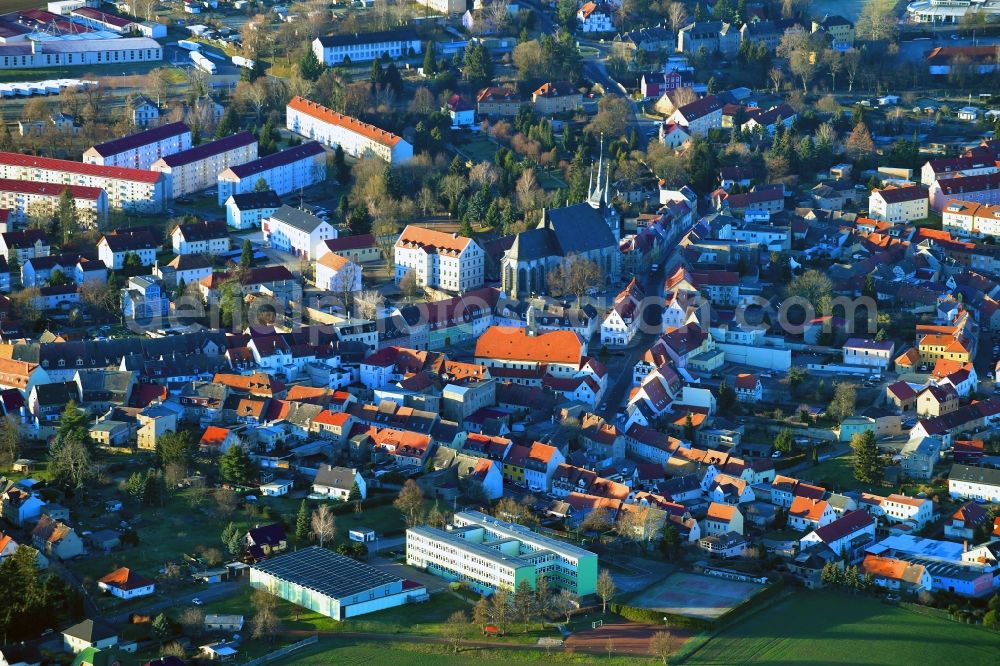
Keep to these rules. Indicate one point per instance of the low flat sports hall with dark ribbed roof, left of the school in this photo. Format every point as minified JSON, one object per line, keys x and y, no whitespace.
{"x":332,"y":584}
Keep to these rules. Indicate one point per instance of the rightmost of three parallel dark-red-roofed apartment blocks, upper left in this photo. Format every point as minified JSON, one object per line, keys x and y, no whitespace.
{"x":286,"y":171}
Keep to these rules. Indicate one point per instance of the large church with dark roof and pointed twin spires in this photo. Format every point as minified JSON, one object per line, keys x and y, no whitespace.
{"x":590,"y":229}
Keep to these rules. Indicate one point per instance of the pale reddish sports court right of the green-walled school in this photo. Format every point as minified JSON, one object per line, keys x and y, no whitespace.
{"x":695,"y":595}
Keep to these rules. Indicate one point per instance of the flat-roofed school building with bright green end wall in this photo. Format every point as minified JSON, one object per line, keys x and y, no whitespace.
{"x":492,"y":554}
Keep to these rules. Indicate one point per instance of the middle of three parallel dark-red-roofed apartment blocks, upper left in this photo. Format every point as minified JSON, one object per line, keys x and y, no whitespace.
{"x":198,"y":168}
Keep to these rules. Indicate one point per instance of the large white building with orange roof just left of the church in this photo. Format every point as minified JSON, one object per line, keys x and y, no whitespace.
{"x":439,"y":260}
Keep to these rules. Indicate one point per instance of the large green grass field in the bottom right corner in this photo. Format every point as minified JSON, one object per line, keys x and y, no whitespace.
{"x":831,"y":628}
